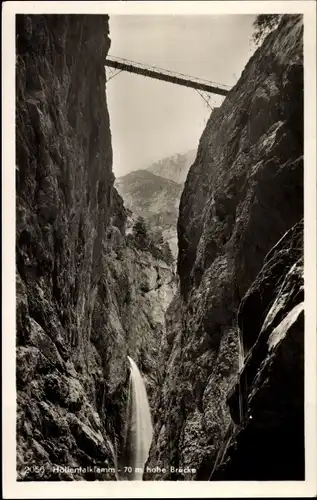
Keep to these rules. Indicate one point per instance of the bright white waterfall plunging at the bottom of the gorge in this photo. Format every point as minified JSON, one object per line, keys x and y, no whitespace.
{"x":140,"y":430}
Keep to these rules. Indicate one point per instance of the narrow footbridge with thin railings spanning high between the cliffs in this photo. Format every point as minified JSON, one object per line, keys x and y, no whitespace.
{"x":167,"y":76}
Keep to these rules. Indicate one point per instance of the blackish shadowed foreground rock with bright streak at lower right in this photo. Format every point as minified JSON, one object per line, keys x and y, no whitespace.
{"x":267,"y":402}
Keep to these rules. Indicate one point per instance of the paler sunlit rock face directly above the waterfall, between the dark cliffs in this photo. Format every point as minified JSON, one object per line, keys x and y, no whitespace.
{"x":134,"y":292}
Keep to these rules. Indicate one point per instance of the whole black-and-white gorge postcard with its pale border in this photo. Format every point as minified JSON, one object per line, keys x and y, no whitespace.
{"x":160,"y":300}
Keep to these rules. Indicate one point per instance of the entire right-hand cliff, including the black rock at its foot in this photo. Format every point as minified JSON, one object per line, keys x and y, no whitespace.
{"x":239,"y":298}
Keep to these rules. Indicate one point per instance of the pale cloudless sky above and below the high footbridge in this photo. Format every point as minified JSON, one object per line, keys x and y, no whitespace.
{"x":150,"y":119}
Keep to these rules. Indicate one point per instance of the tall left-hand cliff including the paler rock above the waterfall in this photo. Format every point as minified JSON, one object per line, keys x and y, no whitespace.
{"x":86,"y":297}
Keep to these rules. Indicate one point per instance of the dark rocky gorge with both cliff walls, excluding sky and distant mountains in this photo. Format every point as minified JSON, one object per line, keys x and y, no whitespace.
{"x":219,"y":344}
